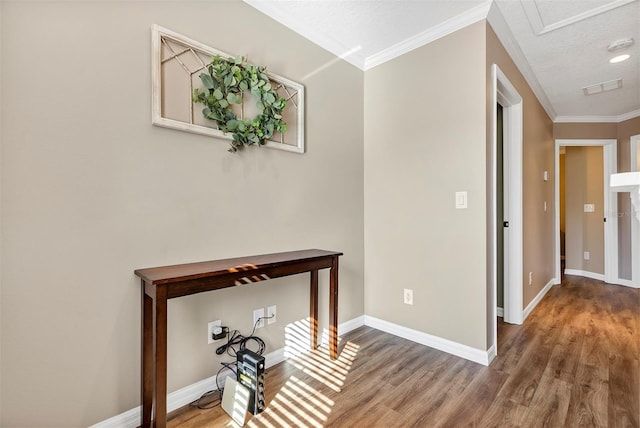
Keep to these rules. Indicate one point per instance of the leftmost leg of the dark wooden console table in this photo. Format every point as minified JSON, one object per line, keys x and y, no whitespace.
{"x":147,"y":368}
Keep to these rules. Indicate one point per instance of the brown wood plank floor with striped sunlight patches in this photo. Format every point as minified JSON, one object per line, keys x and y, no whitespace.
{"x":573,"y":363}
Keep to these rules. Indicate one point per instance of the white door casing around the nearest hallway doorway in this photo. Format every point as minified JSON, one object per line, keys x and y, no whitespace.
{"x":506,"y":94}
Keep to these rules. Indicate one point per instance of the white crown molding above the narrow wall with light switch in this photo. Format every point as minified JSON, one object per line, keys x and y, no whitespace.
{"x":445,"y":28}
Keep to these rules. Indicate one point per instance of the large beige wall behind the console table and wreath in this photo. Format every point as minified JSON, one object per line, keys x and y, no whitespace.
{"x":91,"y":191}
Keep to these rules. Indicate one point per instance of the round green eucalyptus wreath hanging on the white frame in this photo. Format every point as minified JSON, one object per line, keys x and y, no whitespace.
{"x":225,"y":82}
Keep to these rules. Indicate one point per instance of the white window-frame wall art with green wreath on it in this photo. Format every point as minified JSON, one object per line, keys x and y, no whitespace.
{"x":205,"y":91}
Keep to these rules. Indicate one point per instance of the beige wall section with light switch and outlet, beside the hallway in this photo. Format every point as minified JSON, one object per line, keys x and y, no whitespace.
{"x":424,"y":133}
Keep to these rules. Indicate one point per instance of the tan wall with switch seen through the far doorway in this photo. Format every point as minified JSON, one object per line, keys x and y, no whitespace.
{"x":584,"y":230}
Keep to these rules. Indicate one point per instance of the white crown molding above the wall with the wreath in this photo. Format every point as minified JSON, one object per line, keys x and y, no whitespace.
{"x":349,"y":54}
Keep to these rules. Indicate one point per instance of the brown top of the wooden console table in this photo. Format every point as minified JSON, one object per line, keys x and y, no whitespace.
{"x":189,"y":271}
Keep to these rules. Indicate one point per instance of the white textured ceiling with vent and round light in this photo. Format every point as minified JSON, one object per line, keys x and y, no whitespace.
{"x":560,"y":46}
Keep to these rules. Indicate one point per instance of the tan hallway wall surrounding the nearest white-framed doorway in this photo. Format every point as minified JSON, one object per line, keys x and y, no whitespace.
{"x":538,"y":149}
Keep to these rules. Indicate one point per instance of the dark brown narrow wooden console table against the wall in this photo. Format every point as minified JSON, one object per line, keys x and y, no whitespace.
{"x":162,"y":283}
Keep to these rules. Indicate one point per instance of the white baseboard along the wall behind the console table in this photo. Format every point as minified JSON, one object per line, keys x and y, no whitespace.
{"x":184,"y":396}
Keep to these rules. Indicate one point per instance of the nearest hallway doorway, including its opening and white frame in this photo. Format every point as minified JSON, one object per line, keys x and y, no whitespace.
{"x":510,"y":261}
